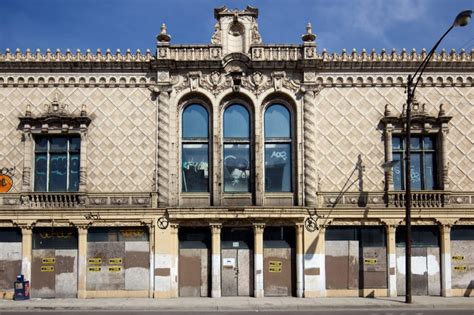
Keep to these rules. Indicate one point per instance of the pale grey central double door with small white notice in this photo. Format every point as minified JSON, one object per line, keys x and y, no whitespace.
{"x":237,"y":277}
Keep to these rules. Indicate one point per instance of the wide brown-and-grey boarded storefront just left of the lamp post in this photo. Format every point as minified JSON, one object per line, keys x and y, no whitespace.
{"x":356,"y":258}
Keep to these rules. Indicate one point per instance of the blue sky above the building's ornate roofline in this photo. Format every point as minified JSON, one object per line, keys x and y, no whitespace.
{"x":134,"y":24}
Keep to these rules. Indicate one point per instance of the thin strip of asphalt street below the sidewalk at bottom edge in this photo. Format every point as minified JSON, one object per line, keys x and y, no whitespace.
{"x":398,"y":311}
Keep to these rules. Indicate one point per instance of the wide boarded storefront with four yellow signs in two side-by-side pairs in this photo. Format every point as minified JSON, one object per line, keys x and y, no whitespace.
{"x":118,"y":259}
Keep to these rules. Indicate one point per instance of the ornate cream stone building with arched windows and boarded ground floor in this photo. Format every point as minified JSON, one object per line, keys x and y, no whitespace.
{"x":234,"y":168}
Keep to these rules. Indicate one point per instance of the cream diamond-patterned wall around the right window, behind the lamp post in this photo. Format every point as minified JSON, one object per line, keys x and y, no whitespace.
{"x":347,"y":121}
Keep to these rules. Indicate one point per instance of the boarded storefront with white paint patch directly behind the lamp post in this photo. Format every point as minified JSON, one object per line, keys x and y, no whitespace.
{"x":425,"y":262}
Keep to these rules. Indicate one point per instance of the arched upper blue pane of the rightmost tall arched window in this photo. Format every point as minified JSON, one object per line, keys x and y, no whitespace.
{"x":277,"y":122}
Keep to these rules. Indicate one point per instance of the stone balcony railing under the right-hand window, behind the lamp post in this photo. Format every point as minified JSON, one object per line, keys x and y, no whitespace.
{"x":420,"y":199}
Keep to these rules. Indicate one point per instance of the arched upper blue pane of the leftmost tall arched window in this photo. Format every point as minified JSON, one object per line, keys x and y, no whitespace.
{"x":195,"y":122}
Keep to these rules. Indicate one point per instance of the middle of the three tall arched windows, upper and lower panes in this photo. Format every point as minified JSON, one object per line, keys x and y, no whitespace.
{"x":236,"y":149}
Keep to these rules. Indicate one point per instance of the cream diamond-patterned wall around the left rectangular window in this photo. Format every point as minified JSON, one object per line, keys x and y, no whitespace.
{"x":121,"y":146}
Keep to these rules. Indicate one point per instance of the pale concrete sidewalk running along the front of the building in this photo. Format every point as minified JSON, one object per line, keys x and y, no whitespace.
{"x":237,"y":304}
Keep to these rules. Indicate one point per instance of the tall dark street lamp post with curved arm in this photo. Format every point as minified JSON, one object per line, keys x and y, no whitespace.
{"x":462,"y":19}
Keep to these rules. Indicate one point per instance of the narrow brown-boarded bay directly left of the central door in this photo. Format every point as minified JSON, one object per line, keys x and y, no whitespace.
{"x":194,"y":261}
